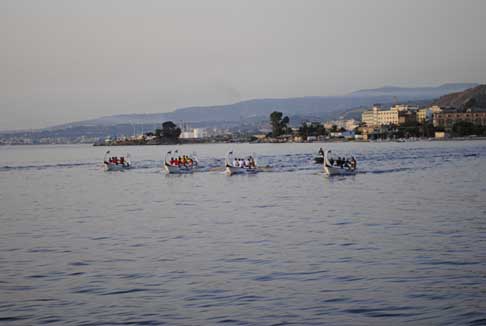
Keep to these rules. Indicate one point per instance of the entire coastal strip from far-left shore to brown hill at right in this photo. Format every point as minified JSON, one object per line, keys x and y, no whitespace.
{"x":461,"y":114}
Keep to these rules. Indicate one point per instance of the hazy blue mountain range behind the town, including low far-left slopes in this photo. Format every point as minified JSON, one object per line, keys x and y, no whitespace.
{"x":253,"y":112}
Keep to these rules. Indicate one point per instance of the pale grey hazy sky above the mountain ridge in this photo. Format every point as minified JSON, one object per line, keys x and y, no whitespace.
{"x":62,"y":61}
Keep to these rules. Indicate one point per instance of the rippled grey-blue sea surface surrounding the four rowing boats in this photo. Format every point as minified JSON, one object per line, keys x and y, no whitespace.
{"x":403,"y":241}
